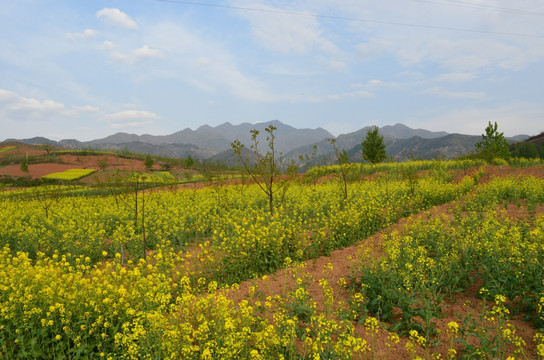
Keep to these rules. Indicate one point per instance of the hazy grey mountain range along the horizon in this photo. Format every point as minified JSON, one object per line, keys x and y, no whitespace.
{"x":214,"y":143}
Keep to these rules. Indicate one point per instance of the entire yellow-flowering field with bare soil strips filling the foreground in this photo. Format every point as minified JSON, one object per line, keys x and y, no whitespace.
{"x":422,"y":259}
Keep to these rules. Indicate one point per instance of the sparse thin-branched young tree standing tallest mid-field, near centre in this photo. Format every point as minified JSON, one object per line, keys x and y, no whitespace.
{"x":265,"y":169}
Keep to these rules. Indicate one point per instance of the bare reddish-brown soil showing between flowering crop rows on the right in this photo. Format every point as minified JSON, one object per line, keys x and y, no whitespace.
{"x":344,"y":263}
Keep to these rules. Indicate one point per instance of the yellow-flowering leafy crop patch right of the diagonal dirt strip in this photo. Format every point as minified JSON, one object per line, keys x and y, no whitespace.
{"x":433,"y":258}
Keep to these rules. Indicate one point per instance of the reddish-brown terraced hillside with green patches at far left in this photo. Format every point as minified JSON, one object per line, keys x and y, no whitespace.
{"x":103,"y":166}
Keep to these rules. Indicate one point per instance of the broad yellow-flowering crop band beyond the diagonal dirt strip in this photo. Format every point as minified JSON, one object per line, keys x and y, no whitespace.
{"x":237,"y":236}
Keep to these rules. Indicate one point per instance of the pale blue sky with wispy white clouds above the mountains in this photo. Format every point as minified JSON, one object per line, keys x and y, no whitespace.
{"x":88,"y":69}
